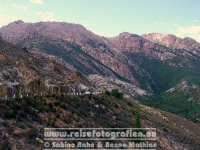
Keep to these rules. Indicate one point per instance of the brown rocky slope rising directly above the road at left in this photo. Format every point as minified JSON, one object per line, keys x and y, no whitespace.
{"x":23,"y":73}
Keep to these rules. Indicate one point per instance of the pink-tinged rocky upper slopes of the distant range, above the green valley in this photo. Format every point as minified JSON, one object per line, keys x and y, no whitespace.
{"x":82,"y":50}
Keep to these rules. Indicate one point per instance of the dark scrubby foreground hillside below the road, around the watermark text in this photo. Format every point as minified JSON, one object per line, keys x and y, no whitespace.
{"x":22,"y":120}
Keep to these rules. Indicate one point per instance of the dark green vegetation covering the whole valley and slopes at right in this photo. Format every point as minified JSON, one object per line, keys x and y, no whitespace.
{"x":164,"y":77}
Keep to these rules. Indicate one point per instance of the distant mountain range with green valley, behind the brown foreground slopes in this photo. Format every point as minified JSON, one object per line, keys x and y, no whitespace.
{"x":141,"y":66}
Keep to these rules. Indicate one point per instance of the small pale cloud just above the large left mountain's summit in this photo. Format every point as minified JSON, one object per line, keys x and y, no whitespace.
{"x":46,"y":15}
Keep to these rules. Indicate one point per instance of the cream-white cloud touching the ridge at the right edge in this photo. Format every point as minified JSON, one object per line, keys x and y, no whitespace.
{"x":189,"y":31}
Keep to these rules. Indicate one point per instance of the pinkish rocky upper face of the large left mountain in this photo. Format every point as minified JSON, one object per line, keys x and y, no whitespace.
{"x":31,"y":35}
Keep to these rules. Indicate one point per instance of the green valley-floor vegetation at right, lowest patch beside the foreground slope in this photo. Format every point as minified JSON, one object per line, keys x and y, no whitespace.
{"x":176,"y":103}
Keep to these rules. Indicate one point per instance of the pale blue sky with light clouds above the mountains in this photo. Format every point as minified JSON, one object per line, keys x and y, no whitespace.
{"x":111,"y":17}
